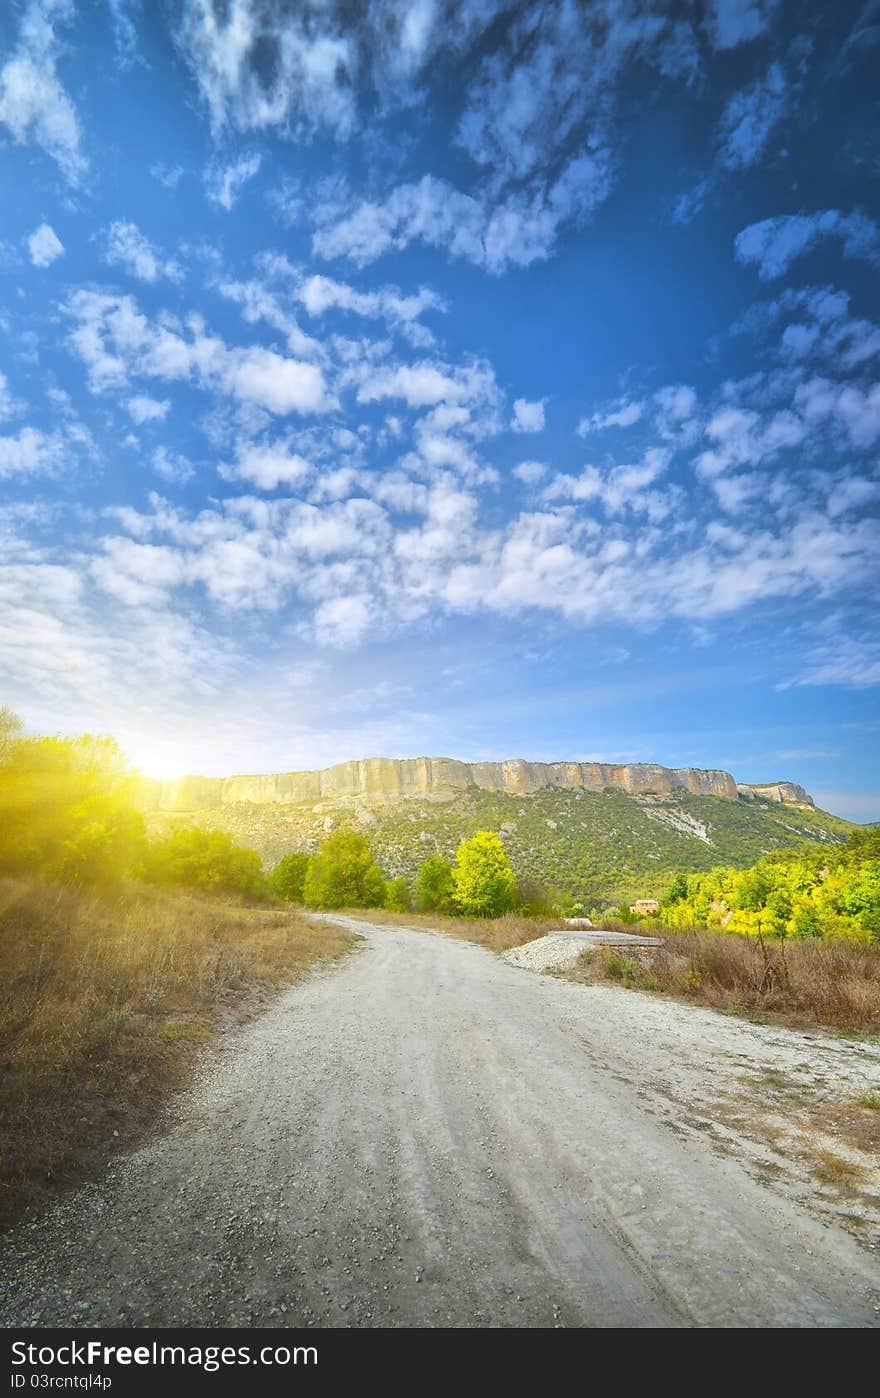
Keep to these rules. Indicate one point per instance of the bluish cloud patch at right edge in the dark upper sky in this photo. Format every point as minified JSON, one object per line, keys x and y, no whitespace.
{"x":776,"y":244}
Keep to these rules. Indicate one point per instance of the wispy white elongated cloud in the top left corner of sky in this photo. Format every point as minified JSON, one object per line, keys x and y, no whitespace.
{"x":33,"y":103}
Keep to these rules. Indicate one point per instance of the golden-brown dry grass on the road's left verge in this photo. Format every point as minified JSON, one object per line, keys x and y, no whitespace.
{"x":104,"y":1000}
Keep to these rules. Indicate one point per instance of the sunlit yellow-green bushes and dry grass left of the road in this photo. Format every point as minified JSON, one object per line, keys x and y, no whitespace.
{"x":120,"y":957}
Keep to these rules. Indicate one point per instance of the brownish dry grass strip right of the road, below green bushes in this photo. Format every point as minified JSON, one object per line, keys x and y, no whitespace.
{"x":835,"y":983}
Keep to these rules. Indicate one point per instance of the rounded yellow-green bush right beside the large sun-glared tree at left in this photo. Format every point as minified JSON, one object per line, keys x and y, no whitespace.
{"x":205,"y":860}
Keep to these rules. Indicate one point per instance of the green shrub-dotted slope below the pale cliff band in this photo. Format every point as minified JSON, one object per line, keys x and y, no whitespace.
{"x":601,"y":846}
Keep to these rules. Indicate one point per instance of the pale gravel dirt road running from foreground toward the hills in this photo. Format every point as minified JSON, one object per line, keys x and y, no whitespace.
{"x":427,"y":1136}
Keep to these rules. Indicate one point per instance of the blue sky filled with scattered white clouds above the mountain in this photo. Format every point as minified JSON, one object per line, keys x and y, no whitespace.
{"x":433,"y":378}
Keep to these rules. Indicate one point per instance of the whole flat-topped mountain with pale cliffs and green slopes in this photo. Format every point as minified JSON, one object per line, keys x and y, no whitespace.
{"x":601,"y":831}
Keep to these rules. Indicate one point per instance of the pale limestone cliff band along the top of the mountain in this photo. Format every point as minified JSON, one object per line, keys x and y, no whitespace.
{"x":381,"y":781}
